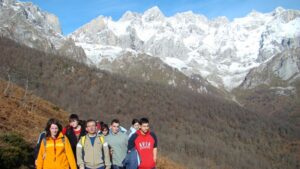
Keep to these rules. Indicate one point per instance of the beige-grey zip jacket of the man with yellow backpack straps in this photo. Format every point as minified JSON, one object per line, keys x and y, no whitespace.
{"x":92,"y":156}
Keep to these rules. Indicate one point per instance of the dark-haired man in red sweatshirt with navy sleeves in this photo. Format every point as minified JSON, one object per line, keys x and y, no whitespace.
{"x":145,"y":142}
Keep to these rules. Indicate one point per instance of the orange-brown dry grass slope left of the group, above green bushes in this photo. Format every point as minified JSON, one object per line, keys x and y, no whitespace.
{"x":26,"y":116}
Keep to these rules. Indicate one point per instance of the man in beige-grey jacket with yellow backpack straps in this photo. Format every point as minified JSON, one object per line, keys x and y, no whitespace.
{"x":91,"y":148}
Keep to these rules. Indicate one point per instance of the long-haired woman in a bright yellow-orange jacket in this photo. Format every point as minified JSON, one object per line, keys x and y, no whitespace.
{"x":55,"y":151}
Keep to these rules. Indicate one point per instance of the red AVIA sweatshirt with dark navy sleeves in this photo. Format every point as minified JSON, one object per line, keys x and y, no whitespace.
{"x":144,"y":144}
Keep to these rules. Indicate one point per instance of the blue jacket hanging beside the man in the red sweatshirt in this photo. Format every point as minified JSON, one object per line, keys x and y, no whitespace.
{"x":132,"y":159}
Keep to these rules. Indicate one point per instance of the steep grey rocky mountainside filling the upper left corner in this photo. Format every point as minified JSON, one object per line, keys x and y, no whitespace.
{"x":28,"y":24}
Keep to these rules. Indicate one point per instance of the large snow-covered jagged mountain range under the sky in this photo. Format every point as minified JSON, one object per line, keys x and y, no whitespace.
{"x":221,"y":51}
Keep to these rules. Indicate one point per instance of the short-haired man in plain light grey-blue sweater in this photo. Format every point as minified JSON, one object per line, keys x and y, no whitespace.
{"x":118,"y":143}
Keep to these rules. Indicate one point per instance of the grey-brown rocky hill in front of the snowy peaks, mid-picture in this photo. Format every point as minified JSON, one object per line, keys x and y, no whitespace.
{"x":145,"y":67}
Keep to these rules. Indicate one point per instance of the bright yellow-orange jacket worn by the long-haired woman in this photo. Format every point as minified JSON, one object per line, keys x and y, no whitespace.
{"x":57,"y":154}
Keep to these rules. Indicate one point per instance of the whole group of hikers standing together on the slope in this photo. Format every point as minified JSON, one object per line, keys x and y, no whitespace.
{"x":94,"y":145}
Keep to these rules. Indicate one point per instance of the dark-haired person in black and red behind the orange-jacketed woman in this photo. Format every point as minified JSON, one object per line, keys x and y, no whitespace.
{"x":74,"y":131}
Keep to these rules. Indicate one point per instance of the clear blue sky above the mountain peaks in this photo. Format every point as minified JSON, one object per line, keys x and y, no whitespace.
{"x":74,"y":13}
